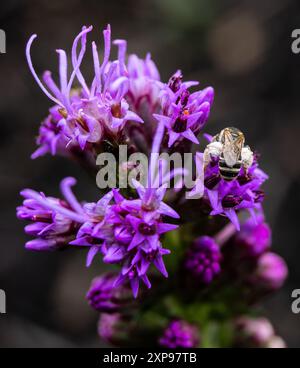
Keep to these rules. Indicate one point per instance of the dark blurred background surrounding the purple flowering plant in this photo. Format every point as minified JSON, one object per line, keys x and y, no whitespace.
{"x":241,"y":48}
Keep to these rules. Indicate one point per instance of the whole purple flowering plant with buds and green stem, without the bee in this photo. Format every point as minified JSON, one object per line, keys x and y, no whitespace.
{"x":213,"y":247}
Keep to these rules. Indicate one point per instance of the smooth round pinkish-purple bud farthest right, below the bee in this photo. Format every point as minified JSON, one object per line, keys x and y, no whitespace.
{"x":270,"y":273}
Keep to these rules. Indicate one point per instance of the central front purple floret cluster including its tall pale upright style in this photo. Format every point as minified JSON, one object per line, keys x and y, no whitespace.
{"x":128,"y":232}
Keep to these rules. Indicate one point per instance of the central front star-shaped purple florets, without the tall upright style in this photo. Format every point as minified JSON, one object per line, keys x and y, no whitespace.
{"x":128,"y":236}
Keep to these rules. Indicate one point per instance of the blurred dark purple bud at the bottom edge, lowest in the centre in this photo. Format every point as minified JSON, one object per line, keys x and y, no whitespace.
{"x":180,"y":334}
